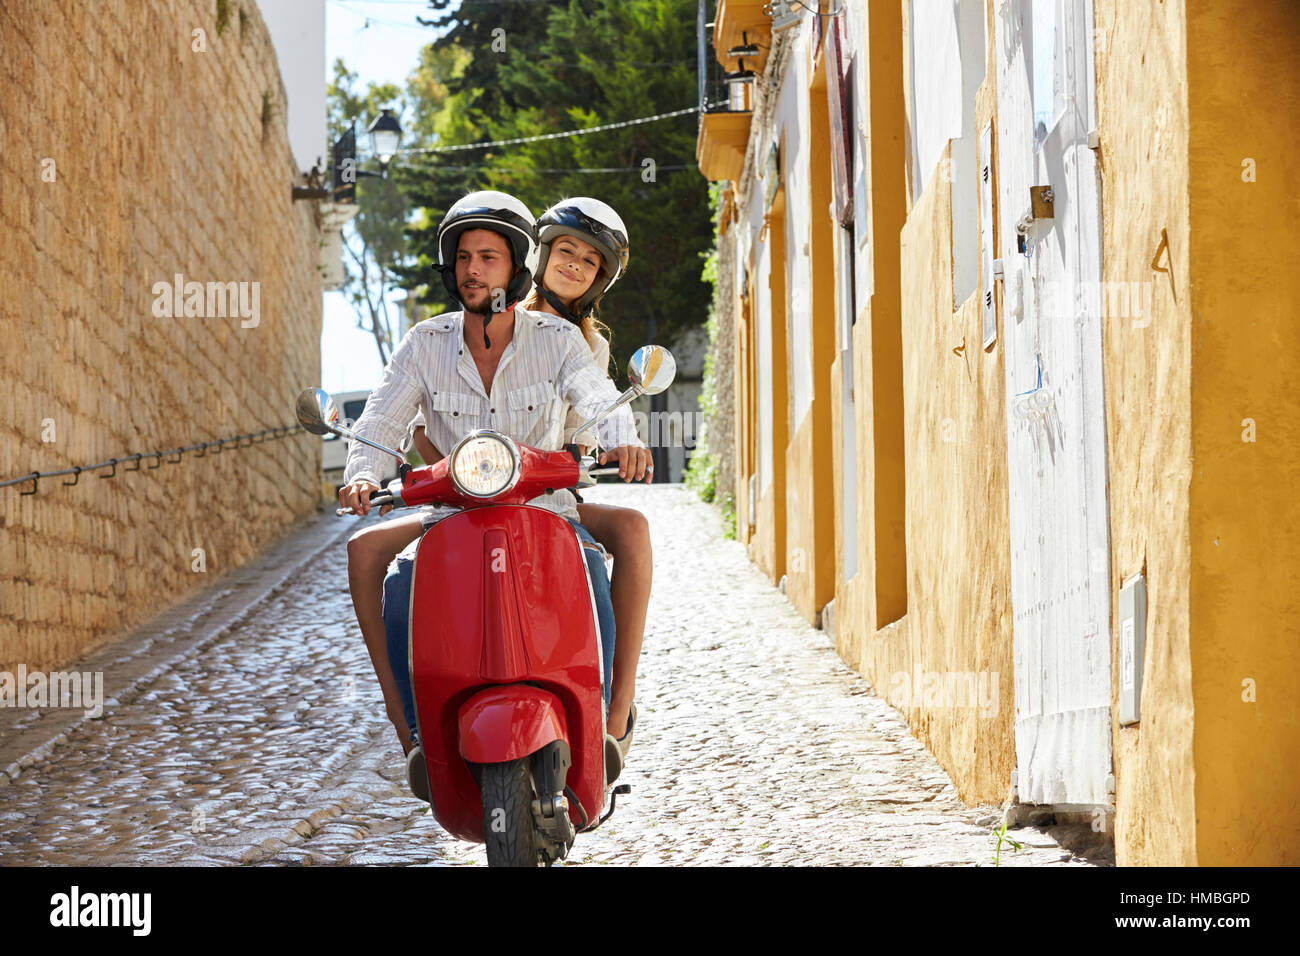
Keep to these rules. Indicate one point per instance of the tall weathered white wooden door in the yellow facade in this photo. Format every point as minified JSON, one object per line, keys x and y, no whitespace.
{"x":1056,"y":418}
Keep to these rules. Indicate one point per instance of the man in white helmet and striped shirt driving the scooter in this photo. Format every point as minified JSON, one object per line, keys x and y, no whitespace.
{"x":492,"y":366}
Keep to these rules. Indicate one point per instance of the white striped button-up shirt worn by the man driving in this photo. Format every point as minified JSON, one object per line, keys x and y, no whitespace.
{"x":547,"y":367}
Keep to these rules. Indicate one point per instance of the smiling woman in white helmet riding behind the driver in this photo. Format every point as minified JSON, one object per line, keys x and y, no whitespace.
{"x":583,"y":252}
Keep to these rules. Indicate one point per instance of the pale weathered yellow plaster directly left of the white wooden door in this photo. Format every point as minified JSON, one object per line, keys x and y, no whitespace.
{"x":959,"y":557}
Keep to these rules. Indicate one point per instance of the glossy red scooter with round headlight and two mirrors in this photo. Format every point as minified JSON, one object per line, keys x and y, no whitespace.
{"x":505,"y":650}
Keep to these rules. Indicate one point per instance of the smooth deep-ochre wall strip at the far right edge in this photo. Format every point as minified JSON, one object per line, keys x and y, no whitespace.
{"x":1243,"y":89}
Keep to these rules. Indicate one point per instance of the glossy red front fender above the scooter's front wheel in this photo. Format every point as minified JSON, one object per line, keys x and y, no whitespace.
{"x":510,"y":723}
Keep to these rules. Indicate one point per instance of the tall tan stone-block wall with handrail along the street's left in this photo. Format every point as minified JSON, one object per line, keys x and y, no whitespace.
{"x":137,"y":150}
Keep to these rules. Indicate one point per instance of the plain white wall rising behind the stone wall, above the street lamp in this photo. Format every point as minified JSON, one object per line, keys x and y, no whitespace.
{"x":298,"y":33}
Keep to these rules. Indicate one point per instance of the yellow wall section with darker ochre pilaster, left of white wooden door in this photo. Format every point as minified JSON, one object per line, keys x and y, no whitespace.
{"x":933,"y":587}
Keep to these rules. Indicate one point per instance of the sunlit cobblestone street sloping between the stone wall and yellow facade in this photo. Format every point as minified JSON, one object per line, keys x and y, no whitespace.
{"x":265,"y":743}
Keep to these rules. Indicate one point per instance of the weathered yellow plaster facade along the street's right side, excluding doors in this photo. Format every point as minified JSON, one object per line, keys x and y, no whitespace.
{"x":1194,"y":100}
